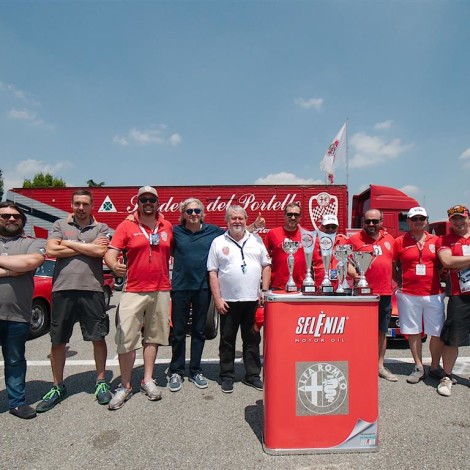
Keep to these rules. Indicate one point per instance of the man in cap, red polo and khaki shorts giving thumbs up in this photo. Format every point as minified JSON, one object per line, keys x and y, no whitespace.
{"x":147,"y":240}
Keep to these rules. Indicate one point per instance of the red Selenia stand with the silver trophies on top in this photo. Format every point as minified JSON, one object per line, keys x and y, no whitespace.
{"x":320,"y":356}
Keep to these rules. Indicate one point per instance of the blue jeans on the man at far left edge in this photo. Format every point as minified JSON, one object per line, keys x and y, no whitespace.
{"x":13,"y":336}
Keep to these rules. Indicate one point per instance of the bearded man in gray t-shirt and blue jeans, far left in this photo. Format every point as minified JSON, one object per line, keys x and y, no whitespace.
{"x":19,"y":258}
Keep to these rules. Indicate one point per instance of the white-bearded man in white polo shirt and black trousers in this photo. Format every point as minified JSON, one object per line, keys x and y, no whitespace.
{"x":237,"y":262}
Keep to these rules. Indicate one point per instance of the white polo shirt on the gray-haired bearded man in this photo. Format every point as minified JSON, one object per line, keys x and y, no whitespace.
{"x":239,"y":265}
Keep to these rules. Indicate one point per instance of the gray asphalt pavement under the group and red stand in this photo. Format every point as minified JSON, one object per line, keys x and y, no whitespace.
{"x":207,"y":429}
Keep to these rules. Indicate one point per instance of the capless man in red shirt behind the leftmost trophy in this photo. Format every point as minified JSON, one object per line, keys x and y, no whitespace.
{"x":273,"y":242}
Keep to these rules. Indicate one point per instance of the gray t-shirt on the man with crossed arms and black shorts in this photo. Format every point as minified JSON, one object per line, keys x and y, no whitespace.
{"x":79,"y":272}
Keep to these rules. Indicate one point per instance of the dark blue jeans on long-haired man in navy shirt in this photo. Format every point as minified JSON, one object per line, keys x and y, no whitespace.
{"x":181,"y":302}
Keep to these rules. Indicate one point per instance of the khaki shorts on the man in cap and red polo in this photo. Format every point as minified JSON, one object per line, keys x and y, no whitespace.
{"x":150,"y":309}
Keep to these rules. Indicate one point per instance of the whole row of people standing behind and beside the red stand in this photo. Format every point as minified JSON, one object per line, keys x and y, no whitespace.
{"x":233,"y":266}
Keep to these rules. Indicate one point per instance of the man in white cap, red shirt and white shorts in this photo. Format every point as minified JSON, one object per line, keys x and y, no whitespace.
{"x":420,"y":297}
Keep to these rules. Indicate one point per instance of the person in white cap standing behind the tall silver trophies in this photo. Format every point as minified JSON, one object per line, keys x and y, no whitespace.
{"x":329,"y":226}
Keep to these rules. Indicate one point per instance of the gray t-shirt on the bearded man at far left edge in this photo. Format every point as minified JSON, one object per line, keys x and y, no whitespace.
{"x":16,"y":292}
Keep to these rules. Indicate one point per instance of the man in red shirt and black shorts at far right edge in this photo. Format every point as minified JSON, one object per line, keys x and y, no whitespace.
{"x":453,"y":251}
